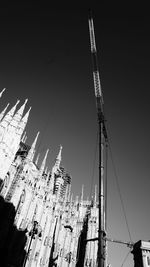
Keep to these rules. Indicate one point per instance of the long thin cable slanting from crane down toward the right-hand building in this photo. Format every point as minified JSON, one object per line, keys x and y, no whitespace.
{"x":118,"y":187}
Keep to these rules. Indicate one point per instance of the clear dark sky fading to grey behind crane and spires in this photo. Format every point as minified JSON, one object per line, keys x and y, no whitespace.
{"x":45,"y":57}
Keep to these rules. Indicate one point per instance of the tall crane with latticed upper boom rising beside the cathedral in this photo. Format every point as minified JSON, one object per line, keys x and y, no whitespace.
{"x":101,"y":257}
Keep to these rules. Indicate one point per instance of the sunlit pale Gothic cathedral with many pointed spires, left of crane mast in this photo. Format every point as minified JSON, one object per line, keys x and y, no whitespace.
{"x":60,"y":231}
